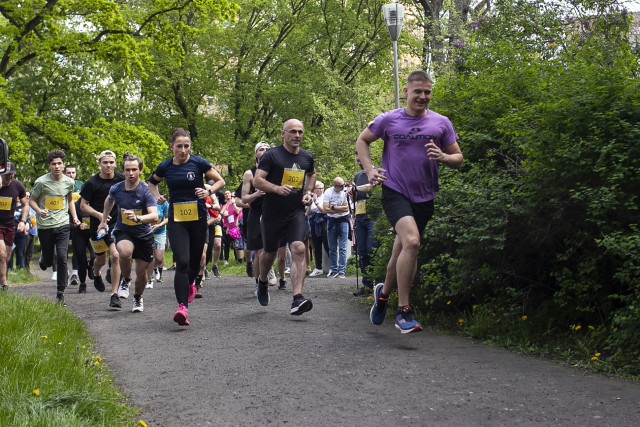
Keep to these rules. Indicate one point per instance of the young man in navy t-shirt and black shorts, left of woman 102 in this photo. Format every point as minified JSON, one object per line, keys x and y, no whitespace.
{"x":133,"y":234}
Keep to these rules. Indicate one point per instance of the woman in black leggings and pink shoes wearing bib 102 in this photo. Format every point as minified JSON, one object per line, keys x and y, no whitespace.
{"x":187,"y":227}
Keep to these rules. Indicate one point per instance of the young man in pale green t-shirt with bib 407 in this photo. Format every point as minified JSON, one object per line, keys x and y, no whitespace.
{"x":52,"y":199}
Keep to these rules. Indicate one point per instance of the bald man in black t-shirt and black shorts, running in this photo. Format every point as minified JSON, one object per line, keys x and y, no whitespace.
{"x":287,"y":175}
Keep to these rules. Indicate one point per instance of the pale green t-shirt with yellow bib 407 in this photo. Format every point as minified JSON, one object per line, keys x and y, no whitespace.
{"x":52,"y":195}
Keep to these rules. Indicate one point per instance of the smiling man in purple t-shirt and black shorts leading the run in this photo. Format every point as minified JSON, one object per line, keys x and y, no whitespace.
{"x":415,"y":139}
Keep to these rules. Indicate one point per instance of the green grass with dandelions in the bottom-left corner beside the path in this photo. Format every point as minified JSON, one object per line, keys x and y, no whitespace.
{"x":50,"y":374}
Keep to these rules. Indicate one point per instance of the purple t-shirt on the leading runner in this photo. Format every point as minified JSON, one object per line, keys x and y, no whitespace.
{"x":404,"y":156}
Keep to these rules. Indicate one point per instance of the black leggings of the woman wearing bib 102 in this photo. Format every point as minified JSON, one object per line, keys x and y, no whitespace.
{"x":187,"y":242}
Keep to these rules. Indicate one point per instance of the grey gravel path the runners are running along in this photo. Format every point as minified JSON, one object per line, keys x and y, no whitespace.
{"x":243,"y":364}
